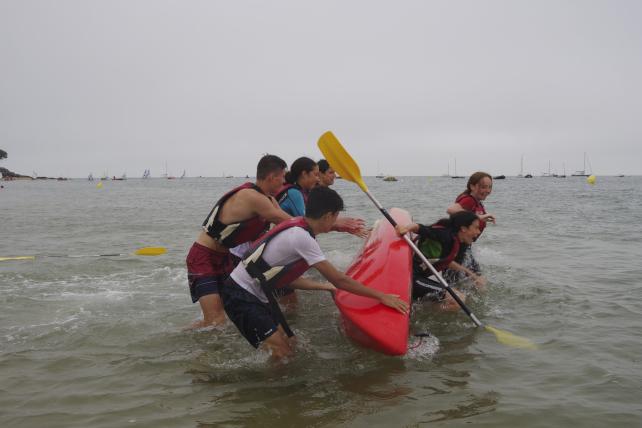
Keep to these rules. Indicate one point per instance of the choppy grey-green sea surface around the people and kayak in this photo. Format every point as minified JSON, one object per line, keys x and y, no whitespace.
{"x":100,"y":341}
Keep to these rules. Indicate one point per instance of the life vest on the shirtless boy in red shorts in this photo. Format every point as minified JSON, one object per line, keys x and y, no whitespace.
{"x":231,"y":235}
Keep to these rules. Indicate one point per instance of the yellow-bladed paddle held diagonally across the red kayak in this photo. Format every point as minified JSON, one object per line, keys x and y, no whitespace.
{"x":341,"y":161}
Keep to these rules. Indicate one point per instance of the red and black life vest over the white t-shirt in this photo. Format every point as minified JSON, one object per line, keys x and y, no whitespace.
{"x":271,"y":277}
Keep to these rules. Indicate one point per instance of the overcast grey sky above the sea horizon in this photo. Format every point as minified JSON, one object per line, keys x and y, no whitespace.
{"x":407,"y":86}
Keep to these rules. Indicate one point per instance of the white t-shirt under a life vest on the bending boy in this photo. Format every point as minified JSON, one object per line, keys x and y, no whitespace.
{"x":287,"y":247}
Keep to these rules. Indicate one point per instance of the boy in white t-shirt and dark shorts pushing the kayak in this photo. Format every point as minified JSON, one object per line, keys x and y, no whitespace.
{"x":280,"y":257}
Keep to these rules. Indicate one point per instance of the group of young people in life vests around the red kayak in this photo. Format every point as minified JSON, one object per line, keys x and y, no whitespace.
{"x":243,"y":268}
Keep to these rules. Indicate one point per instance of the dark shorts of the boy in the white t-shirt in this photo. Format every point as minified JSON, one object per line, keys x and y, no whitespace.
{"x":254,"y":319}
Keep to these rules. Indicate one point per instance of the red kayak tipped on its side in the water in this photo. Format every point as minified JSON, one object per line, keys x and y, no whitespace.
{"x":385,"y":264}
